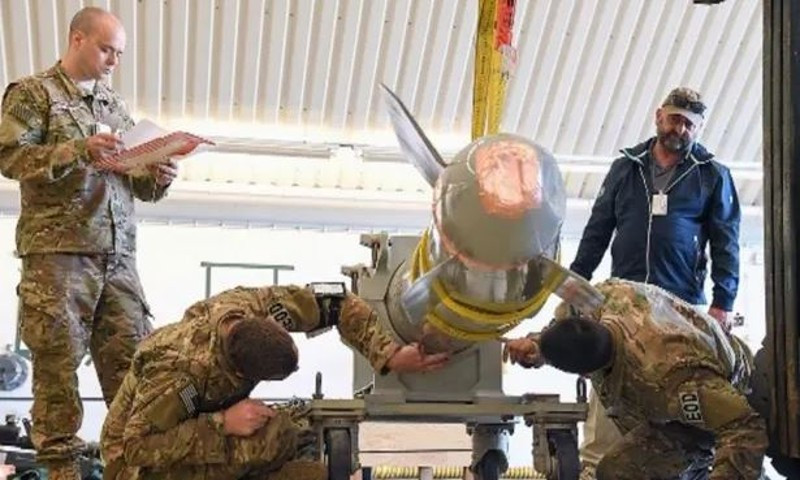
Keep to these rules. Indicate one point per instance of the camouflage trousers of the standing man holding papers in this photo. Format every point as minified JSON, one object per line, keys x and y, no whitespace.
{"x":70,"y":304}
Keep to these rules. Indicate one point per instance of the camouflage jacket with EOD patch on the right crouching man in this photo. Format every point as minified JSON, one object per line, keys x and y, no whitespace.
{"x":674,"y":364}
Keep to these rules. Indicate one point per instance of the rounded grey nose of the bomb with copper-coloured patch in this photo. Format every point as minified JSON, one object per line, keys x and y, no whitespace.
{"x":500,"y":203}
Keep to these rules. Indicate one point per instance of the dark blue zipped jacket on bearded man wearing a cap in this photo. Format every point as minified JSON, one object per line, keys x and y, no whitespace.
{"x":667,"y":250}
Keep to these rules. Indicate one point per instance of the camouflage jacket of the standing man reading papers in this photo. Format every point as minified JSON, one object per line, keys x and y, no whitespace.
{"x":67,"y":205}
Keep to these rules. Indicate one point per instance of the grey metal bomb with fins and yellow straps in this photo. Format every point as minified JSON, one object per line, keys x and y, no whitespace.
{"x":489,"y":258}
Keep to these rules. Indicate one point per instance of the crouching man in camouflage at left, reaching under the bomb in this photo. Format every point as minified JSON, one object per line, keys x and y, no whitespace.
{"x":183,"y":411}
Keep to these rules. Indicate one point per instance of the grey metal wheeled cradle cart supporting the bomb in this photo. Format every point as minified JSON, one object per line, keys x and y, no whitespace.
{"x":468,"y":390}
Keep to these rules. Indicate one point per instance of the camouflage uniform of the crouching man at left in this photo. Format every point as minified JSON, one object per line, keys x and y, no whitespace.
{"x":166,"y":422}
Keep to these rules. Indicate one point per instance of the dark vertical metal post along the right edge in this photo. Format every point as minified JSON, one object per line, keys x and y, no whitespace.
{"x":782,"y":219}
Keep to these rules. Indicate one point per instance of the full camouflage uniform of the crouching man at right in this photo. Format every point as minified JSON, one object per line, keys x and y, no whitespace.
{"x":676,"y":390}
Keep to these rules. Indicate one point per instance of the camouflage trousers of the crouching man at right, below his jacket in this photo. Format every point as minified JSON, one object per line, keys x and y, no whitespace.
{"x":658,"y":452}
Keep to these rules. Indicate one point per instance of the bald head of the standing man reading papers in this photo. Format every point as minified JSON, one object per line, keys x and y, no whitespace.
{"x":96,"y":42}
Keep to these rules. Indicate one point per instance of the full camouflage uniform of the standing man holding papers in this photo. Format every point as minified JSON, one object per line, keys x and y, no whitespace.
{"x":76,"y":236}
